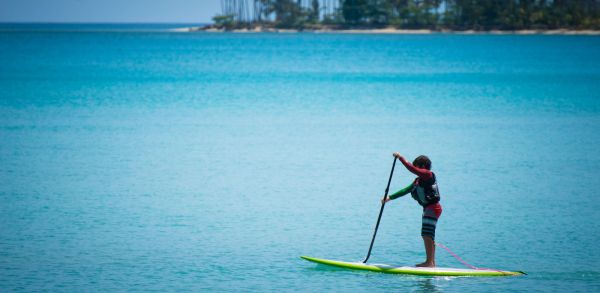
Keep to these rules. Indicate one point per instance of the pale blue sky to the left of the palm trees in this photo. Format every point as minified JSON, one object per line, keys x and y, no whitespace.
{"x":119,"y":11}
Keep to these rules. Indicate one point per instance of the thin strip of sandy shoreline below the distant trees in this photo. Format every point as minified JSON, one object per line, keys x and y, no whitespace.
{"x":389,"y":30}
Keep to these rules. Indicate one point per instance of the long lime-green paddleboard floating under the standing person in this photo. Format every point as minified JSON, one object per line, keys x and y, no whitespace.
{"x":408,"y":270}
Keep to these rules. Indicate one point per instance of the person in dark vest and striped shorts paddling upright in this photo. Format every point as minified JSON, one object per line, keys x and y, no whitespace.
{"x":425,"y":191}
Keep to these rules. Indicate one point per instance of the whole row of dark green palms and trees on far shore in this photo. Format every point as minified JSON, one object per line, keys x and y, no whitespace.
{"x":431,"y":14}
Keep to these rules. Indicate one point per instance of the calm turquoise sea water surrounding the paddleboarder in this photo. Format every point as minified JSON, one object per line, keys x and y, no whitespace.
{"x":149,"y":161}
